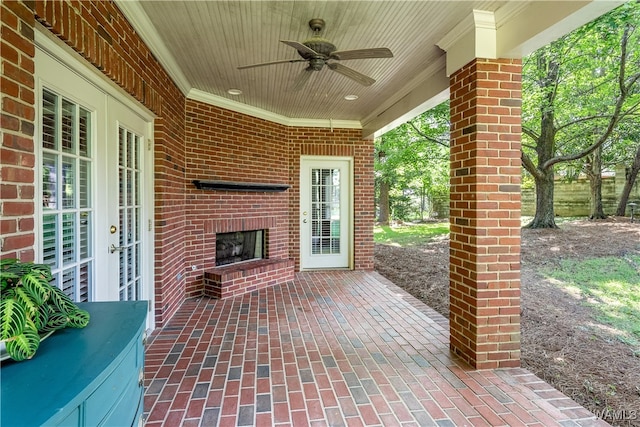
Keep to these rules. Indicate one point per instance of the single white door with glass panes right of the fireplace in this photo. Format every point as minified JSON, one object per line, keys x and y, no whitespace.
{"x":325,"y":212}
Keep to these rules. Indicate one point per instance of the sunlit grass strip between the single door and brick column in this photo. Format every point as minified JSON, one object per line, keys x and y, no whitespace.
{"x":410,"y":234}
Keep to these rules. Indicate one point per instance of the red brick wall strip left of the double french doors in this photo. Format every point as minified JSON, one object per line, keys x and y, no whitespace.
{"x":18,"y":115}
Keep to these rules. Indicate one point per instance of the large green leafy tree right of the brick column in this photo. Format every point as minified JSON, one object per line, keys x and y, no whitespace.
{"x":575,"y":92}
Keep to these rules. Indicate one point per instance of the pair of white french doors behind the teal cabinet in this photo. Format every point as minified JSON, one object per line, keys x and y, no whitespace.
{"x":95,"y":198}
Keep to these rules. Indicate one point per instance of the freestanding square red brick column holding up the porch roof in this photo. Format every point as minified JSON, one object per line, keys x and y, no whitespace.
{"x":485,"y":213}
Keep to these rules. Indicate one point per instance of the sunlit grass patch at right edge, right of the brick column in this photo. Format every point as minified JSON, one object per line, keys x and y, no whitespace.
{"x":610,"y":285}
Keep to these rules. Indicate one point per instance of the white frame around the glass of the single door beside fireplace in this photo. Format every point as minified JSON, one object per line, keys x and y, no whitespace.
{"x":347,"y":210}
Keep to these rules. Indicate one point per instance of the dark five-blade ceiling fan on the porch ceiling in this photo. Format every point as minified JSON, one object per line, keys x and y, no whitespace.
{"x":318,"y":51}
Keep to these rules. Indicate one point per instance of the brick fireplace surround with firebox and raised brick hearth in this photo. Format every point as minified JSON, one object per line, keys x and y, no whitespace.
{"x":243,"y":249}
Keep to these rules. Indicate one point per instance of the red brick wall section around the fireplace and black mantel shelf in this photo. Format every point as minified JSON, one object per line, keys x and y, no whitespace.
{"x":222,"y":145}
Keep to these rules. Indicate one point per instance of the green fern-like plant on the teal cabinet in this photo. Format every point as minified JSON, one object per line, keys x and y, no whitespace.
{"x":31,"y":307}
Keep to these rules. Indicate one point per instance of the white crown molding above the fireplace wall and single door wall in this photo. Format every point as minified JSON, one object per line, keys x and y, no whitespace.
{"x":208,"y":98}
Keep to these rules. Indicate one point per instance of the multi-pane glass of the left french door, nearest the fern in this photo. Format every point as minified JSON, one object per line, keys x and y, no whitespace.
{"x":67,"y":207}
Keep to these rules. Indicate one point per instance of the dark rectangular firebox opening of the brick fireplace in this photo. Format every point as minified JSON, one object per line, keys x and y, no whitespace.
{"x":239,"y":246}
